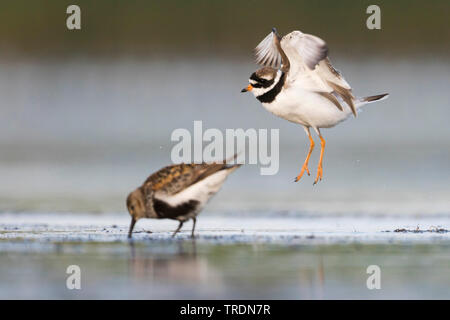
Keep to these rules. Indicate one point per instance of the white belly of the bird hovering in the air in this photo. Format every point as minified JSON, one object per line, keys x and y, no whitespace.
{"x":307,"y":108}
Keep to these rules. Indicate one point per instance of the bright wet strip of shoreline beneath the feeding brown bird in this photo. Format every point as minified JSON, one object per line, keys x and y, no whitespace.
{"x":248,"y":228}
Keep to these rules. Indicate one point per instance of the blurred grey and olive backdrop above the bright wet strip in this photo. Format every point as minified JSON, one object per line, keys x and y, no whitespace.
{"x":87,"y":115}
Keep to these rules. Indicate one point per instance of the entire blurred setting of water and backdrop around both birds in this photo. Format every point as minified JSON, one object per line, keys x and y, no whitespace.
{"x":86,"y":115}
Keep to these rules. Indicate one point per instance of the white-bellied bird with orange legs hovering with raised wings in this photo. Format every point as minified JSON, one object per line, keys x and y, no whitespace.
{"x":298,"y":83}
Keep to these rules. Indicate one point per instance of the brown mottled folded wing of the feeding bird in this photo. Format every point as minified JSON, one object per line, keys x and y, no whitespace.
{"x":173,"y":179}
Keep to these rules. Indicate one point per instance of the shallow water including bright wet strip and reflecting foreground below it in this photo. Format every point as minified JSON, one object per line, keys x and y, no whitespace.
{"x":269,"y":257}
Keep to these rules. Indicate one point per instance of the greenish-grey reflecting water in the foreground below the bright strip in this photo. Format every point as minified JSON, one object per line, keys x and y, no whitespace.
{"x":195,"y":270}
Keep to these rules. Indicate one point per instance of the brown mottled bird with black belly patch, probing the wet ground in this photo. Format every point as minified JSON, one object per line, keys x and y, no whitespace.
{"x":177,"y":192}
